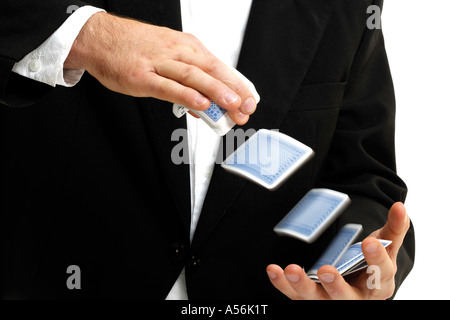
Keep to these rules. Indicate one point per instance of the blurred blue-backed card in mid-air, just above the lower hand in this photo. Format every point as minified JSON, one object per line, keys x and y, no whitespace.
{"x":313,"y":214}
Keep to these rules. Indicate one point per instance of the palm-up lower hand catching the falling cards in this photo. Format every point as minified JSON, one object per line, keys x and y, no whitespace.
{"x":295,"y":284}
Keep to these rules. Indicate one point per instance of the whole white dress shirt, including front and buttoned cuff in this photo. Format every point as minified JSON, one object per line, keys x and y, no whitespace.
{"x":218,"y":24}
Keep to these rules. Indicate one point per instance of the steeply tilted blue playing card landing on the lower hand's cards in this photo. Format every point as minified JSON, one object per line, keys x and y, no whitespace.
{"x":345,"y":237}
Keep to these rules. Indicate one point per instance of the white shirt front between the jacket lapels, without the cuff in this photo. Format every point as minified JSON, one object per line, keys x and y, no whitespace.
{"x":220,"y":26}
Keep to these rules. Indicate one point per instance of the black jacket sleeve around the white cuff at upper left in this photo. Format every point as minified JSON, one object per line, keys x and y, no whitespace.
{"x":24,"y":25}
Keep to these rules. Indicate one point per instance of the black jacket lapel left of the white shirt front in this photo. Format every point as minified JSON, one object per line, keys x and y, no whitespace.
{"x":158,"y":119}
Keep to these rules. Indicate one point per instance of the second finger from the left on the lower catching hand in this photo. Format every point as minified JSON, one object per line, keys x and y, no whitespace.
{"x":306,"y":288}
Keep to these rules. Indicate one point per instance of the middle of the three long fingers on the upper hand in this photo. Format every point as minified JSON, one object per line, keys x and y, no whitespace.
{"x":195,"y":78}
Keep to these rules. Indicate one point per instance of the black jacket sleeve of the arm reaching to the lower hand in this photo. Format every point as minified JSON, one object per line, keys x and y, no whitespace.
{"x":361,"y":161}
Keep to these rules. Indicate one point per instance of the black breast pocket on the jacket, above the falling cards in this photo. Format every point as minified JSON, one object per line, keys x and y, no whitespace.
{"x":320,"y":96}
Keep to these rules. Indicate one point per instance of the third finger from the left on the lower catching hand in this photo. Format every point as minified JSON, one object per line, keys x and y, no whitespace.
{"x":335,"y":285}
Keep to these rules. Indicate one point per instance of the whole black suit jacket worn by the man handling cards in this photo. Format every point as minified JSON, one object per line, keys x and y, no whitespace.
{"x":87,"y":177}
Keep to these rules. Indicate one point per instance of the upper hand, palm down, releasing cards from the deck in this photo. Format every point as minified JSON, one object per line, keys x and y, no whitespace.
{"x":143,"y":60}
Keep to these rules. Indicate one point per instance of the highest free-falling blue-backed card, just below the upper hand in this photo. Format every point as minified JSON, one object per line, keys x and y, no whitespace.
{"x":268,"y":158}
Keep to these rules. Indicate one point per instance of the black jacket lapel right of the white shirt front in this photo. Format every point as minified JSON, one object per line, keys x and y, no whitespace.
{"x":280,"y":41}
